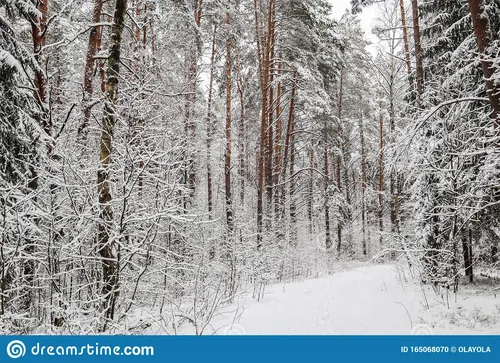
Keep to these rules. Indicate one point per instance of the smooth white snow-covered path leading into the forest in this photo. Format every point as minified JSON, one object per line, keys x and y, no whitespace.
{"x":365,"y":300}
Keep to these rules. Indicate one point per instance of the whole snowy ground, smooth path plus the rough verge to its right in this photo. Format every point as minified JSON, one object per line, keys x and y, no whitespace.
{"x":375,"y":299}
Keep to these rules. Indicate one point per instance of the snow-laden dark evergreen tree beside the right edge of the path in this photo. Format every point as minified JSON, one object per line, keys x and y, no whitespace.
{"x":454,"y":144}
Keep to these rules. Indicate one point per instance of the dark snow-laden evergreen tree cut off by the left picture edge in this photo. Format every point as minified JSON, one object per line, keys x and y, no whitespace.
{"x":20,"y":132}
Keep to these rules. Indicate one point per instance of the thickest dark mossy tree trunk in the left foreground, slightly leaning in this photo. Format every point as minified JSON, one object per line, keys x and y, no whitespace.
{"x":107,"y":247}
